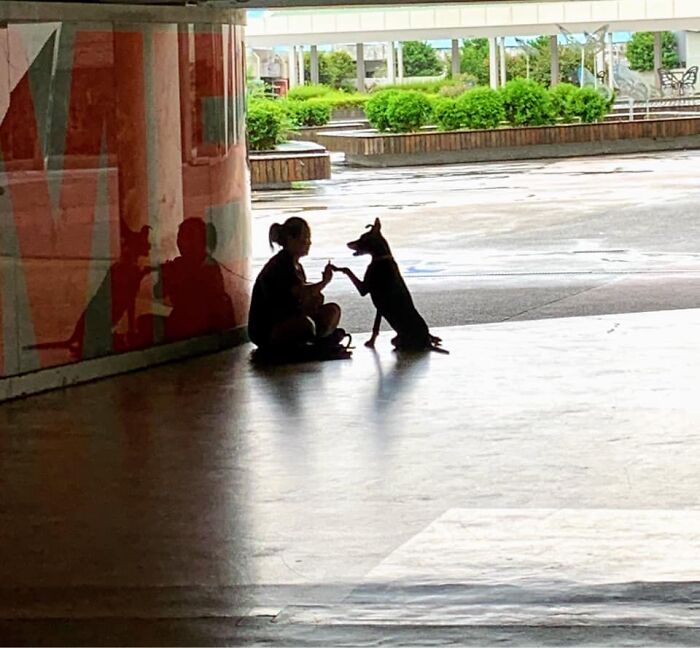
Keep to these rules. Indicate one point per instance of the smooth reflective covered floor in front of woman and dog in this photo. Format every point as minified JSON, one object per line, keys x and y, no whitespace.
{"x":539,"y":484}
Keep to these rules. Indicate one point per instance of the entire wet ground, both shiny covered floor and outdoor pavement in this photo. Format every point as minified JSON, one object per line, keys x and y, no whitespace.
{"x":537,"y":486}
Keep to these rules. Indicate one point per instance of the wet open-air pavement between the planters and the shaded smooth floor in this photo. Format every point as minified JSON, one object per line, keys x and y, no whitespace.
{"x":500,"y":241}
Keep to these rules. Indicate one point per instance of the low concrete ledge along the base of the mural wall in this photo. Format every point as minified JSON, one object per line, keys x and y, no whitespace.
{"x":89,"y":370}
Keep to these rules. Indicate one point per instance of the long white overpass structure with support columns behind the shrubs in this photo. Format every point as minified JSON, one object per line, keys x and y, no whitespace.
{"x":493,"y":20}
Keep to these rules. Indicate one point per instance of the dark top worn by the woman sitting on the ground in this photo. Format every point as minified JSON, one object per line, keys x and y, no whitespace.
{"x":274,"y":297}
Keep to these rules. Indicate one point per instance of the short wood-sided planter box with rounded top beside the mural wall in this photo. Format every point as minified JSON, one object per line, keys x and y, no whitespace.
{"x":292,"y":162}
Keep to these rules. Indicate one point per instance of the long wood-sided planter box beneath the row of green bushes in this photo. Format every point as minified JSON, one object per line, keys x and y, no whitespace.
{"x":371,"y":149}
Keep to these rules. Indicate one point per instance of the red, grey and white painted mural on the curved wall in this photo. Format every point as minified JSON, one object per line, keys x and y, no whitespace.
{"x":124,"y":217}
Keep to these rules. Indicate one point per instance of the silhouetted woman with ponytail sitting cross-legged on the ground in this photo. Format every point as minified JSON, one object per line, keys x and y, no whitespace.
{"x":287,"y":315}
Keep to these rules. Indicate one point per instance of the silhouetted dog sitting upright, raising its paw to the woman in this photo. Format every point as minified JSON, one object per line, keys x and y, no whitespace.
{"x":389,"y":294}
